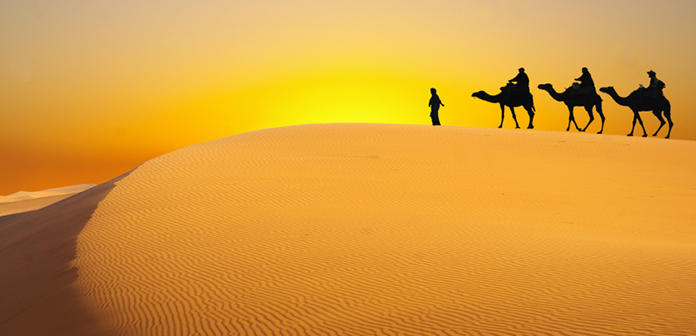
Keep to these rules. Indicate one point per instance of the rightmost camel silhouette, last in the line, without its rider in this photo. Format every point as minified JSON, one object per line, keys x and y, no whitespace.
{"x":637,"y":104}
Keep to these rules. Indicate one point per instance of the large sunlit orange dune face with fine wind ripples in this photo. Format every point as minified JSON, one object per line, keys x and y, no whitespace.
{"x":364,"y":229}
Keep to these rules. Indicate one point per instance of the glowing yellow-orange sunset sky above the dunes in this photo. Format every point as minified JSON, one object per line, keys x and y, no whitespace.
{"x":92,"y":89}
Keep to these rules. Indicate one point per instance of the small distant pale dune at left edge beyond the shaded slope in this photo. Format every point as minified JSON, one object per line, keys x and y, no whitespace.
{"x":24,"y":201}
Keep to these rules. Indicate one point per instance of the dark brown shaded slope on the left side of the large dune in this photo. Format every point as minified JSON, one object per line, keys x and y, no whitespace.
{"x":36,"y":251}
